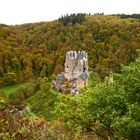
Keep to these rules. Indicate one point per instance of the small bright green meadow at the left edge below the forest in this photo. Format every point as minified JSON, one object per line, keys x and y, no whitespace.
{"x":7,"y":90}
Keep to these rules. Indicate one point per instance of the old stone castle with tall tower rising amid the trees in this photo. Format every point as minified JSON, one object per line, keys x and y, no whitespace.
{"x":75,"y":75}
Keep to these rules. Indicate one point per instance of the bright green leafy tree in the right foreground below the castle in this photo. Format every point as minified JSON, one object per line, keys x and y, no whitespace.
{"x":109,"y":109}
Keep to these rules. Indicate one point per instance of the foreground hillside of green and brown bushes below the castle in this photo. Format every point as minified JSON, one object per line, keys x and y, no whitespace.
{"x":101,"y":111}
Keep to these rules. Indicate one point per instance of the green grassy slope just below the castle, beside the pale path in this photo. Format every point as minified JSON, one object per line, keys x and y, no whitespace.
{"x":43,"y":105}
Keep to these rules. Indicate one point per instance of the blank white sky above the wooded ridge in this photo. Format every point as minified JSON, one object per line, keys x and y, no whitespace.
{"x":26,"y":11}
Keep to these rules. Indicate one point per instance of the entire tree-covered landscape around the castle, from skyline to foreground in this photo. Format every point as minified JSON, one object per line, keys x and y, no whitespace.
{"x":32,"y":54}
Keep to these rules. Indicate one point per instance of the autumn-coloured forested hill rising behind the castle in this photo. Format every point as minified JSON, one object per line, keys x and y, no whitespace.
{"x":38,"y":49}
